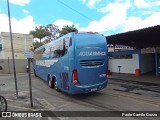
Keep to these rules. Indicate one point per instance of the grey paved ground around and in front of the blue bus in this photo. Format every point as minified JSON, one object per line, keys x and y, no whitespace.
{"x":118,"y":94}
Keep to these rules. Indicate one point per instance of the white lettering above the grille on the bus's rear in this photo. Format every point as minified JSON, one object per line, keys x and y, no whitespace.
{"x":92,"y":53}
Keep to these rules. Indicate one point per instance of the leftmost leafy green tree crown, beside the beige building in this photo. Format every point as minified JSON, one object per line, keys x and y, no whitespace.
{"x":40,"y":32}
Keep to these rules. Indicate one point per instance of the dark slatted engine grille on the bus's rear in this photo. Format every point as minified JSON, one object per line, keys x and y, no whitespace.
{"x":91,"y":63}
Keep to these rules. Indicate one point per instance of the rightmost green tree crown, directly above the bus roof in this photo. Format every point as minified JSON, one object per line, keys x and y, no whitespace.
{"x":67,"y":29}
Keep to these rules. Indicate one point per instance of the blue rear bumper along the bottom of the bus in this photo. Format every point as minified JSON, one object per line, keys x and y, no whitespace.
{"x":78,"y":89}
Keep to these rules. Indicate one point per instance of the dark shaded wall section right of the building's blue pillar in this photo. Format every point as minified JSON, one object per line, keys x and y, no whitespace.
{"x":147,"y":63}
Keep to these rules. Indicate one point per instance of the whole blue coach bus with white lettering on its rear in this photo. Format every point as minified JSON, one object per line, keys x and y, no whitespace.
{"x":74,"y":63}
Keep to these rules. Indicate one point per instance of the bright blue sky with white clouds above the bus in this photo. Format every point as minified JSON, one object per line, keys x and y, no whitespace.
{"x":107,"y":17}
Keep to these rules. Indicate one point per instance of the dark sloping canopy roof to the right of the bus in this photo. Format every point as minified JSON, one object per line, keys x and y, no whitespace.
{"x":142,"y":38}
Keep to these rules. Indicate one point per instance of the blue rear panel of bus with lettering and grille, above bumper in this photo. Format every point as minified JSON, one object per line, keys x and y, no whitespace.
{"x":90,"y":55}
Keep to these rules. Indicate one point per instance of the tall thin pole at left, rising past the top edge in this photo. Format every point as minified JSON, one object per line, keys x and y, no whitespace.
{"x":14,"y":69}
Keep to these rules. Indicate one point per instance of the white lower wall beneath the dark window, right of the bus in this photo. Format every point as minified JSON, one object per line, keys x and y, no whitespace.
{"x":128,"y":65}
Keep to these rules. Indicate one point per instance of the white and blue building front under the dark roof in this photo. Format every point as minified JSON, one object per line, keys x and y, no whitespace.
{"x":129,"y":61}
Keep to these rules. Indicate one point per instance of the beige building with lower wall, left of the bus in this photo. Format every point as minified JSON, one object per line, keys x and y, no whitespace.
{"x":21,"y":43}
